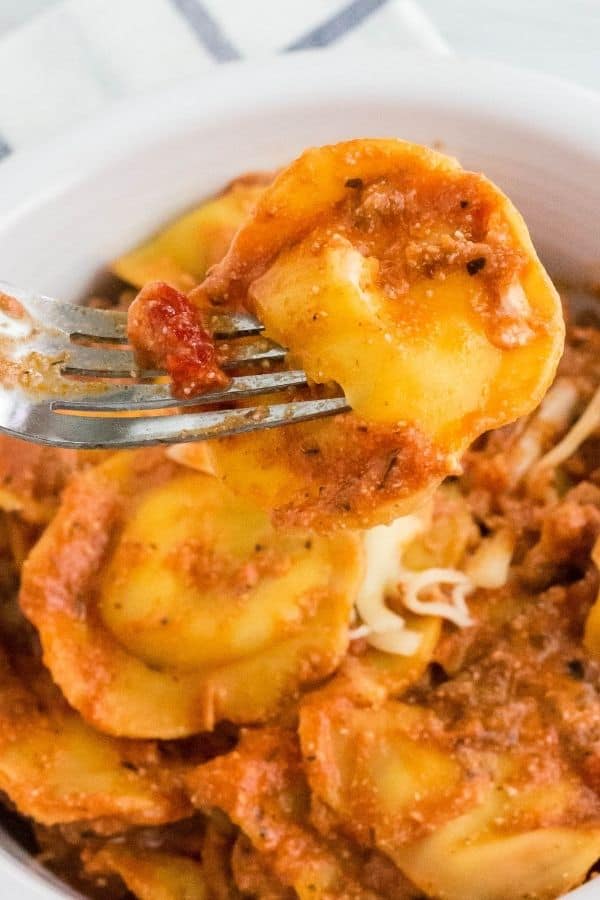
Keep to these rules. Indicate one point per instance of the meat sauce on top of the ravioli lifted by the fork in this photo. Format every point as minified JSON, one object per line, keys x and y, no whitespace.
{"x":430,"y":228}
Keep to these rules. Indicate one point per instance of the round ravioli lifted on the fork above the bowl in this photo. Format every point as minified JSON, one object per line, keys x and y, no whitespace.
{"x":412,"y":285}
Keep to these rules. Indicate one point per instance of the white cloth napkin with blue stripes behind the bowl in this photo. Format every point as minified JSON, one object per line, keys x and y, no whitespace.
{"x":77,"y":56}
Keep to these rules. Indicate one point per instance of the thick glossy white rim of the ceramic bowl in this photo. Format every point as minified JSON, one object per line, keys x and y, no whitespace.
{"x":486,"y":89}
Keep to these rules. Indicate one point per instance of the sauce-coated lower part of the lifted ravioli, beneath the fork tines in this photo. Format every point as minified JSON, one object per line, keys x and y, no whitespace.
{"x":326,"y":475}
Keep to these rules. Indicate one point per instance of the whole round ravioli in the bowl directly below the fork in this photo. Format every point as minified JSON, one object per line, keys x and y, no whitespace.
{"x":164,"y":603}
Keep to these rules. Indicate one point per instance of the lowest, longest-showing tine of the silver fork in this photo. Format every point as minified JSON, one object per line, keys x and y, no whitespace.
{"x":43,"y":426}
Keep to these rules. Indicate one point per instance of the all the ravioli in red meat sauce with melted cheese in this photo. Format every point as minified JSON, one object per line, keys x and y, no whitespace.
{"x":357,"y":657}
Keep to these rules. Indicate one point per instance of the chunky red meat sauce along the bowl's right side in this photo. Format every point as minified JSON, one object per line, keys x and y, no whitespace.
{"x":521,"y":680}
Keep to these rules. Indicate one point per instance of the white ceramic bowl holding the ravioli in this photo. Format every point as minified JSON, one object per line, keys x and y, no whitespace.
{"x":67,"y":208}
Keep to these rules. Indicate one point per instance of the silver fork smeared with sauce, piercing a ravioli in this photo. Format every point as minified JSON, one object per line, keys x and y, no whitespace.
{"x":60,"y":363}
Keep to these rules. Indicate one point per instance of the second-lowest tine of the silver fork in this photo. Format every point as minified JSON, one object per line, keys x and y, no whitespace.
{"x":158,"y":396}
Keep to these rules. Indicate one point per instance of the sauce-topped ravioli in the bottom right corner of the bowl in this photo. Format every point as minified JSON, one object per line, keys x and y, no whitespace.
{"x":458,"y":822}
